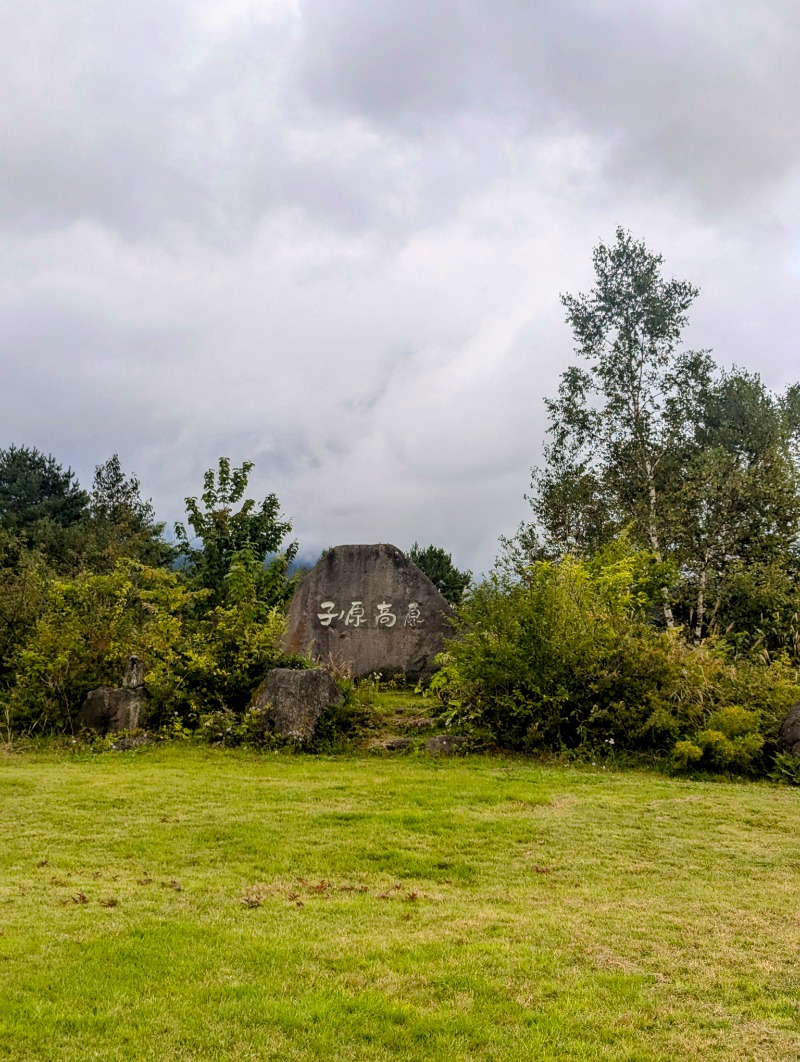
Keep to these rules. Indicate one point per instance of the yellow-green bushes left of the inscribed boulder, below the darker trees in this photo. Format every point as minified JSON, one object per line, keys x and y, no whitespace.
{"x":199,"y":661}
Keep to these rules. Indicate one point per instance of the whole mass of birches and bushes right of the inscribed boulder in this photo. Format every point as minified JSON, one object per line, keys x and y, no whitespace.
{"x":652,"y":605}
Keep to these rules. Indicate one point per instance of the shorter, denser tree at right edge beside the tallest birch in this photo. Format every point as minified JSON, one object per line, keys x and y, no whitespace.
{"x":735,"y":507}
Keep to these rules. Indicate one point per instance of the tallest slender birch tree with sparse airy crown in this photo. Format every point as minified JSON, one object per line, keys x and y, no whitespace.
{"x":616,"y":421}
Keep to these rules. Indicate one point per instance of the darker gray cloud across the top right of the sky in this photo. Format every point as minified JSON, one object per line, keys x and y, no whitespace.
{"x":707,"y":93}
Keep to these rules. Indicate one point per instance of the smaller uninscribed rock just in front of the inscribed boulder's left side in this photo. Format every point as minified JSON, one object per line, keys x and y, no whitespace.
{"x":295,"y":700}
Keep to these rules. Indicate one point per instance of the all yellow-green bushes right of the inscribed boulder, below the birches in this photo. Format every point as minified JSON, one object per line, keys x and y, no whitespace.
{"x":566,"y":659}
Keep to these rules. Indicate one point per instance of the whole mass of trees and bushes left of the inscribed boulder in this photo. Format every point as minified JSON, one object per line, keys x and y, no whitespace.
{"x":74,"y":611}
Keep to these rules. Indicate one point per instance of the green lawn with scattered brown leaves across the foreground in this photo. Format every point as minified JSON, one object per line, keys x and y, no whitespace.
{"x":394,"y":909}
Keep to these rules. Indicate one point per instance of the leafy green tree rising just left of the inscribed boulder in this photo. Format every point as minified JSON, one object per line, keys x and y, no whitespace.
{"x":227,"y":533}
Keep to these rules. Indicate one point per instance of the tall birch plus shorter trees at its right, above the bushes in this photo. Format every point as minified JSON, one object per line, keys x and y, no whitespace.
{"x":701,"y":467}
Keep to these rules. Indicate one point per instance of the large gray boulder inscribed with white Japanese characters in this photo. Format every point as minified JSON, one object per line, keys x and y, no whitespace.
{"x":369,"y":609}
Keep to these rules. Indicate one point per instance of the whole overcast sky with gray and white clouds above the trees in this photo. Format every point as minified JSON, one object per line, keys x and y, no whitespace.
{"x":330,"y":236}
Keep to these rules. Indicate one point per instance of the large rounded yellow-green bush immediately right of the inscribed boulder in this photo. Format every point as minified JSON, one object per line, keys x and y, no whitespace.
{"x":563,"y":656}
